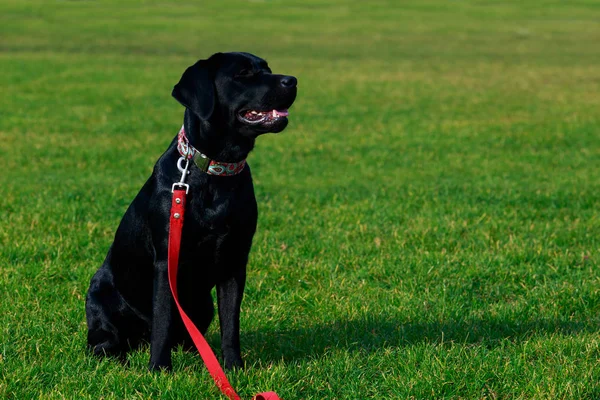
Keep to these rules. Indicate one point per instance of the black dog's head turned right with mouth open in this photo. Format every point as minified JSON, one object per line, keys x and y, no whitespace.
{"x":237,"y":90}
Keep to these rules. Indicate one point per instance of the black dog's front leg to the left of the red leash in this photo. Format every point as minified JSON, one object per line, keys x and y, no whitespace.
{"x":163,"y":306}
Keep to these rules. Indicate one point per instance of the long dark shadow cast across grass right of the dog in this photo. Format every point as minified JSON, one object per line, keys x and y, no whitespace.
{"x":370,"y":335}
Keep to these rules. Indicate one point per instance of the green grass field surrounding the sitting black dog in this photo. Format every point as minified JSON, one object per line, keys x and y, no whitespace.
{"x":429,"y":222}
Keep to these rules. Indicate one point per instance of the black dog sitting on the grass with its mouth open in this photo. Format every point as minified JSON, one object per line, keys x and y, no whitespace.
{"x":230,"y":99}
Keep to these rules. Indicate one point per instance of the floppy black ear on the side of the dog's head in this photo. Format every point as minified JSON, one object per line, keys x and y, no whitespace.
{"x":196,"y":89}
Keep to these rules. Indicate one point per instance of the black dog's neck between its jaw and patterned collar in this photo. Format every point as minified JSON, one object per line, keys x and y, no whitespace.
{"x":216,"y":142}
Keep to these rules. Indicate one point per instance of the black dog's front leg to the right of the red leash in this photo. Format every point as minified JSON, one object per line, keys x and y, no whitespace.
{"x":229,"y":299}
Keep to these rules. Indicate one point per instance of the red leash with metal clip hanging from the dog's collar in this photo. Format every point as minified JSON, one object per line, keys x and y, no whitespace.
{"x":212,"y":364}
